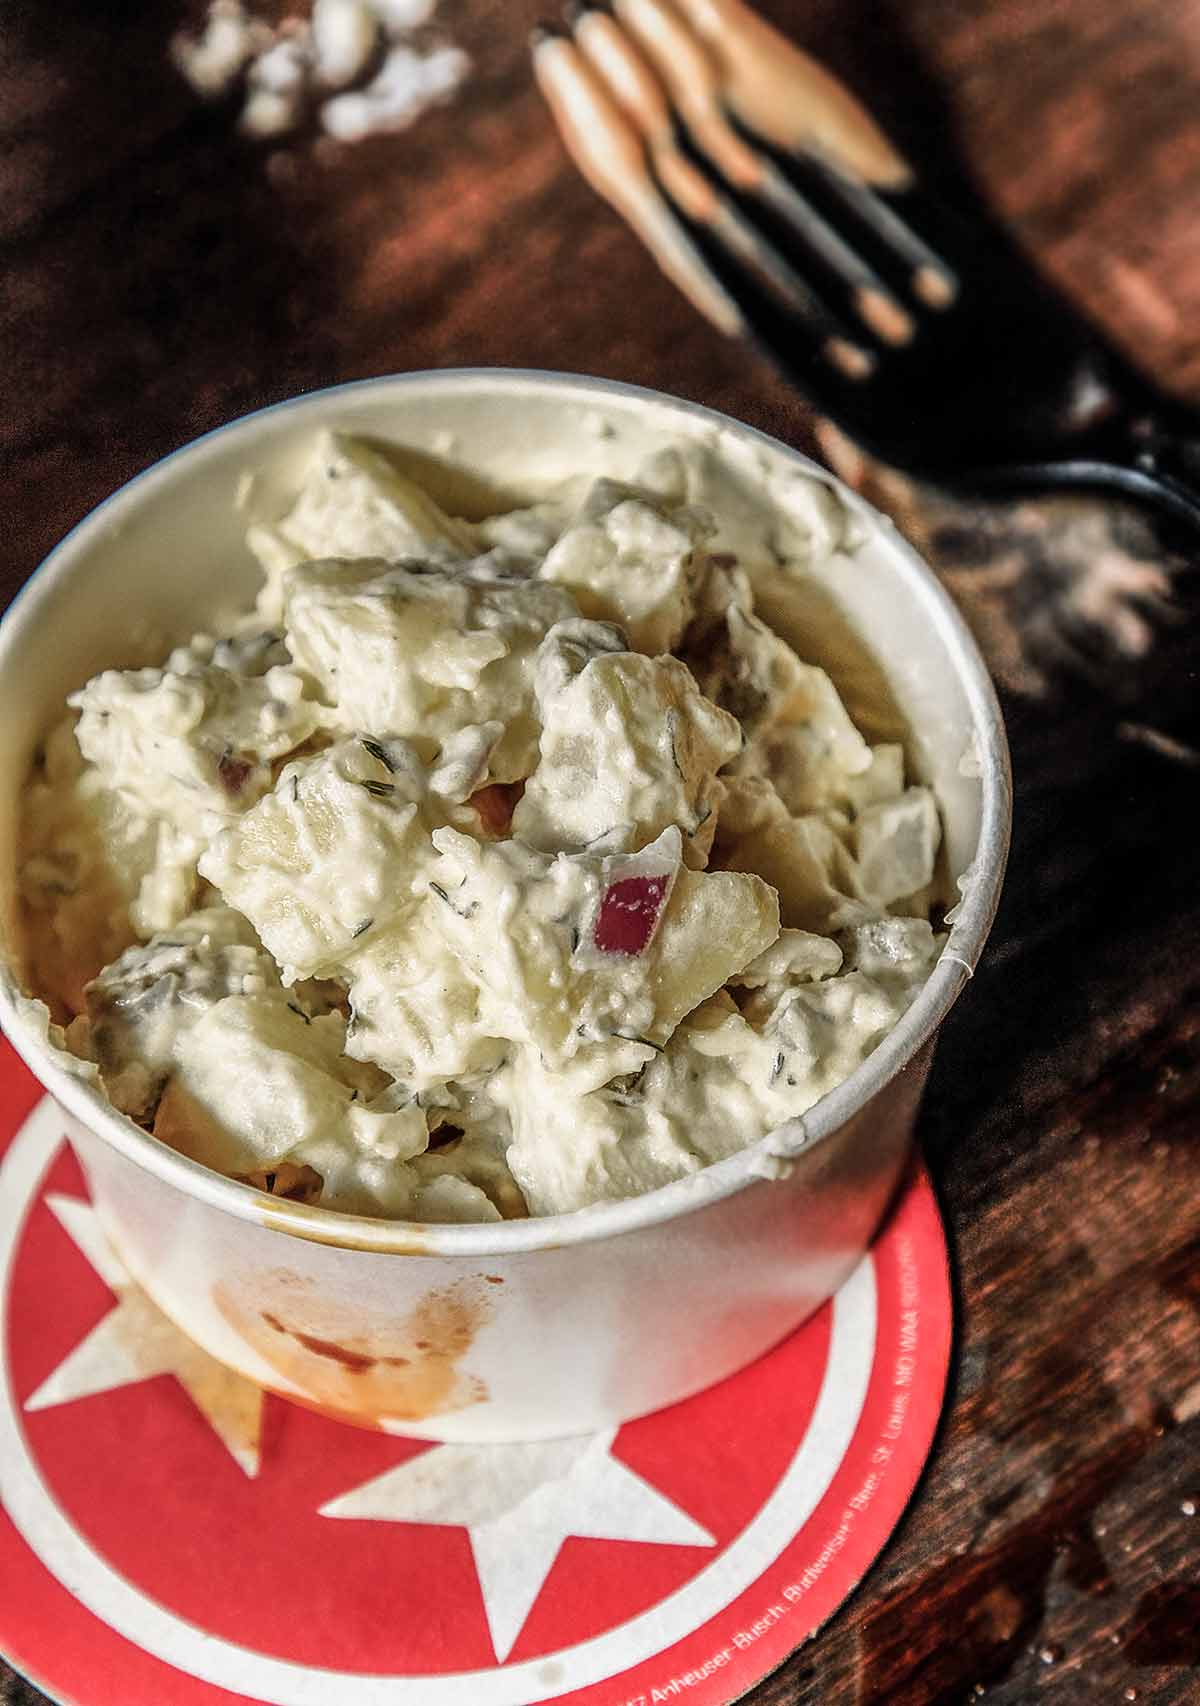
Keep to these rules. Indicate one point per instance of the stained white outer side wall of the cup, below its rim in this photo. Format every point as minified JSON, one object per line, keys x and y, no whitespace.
{"x":540,"y":1343}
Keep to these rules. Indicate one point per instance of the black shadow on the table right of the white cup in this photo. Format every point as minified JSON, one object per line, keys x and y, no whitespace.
{"x":1100,"y":917}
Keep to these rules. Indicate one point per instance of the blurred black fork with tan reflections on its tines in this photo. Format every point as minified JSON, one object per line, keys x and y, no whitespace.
{"x":781,"y":209}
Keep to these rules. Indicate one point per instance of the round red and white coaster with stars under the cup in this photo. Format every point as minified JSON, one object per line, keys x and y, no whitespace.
{"x":172,"y":1536}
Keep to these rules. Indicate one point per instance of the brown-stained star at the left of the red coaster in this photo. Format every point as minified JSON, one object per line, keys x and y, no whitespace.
{"x":136,"y":1342}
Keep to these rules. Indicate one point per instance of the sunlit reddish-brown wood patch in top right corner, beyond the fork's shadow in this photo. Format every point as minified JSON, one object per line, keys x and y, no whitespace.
{"x":1083,"y":124}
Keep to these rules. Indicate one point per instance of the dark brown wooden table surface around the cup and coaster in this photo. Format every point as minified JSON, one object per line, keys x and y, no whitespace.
{"x":163,"y":276}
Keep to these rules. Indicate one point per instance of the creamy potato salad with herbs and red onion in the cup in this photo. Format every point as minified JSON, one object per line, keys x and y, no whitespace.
{"x":484,"y":869}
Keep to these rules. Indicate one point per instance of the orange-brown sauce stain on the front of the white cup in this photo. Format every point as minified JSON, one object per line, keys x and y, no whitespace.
{"x":405,"y":1371}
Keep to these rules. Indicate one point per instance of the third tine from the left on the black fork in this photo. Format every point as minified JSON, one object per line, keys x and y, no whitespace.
{"x":694,"y":81}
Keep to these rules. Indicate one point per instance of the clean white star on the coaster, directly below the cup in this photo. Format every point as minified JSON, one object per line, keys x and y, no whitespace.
{"x":518,"y":1506}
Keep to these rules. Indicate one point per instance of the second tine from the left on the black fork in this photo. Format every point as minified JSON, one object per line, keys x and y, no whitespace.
{"x":694,"y":192}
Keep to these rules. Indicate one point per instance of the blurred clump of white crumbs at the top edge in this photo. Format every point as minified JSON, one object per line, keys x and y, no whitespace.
{"x":352,"y":67}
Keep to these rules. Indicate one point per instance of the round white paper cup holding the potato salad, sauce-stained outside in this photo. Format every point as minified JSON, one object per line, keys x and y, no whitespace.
{"x":547,"y":1326}
